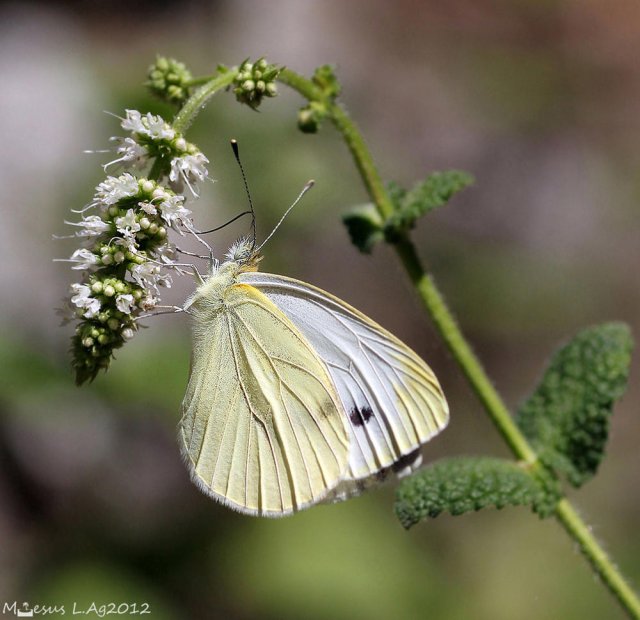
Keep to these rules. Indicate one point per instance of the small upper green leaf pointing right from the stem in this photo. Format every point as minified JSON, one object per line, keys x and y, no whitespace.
{"x":435,"y":191}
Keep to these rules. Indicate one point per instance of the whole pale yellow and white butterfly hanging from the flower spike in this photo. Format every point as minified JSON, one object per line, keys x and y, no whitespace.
{"x":295,"y":397}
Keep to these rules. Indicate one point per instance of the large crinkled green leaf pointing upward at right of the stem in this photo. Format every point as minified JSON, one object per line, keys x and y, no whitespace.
{"x":567,"y":416}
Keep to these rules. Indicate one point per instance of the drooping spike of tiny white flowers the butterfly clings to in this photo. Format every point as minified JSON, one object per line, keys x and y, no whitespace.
{"x":125,"y":249}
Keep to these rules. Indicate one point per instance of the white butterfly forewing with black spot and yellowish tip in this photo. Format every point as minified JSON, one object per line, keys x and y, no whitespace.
{"x":392,"y":399}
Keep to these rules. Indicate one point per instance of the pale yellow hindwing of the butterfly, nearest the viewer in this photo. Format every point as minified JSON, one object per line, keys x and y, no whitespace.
{"x":262,"y":428}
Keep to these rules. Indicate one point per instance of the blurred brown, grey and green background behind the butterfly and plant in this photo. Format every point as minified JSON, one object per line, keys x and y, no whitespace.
{"x":537,"y":99}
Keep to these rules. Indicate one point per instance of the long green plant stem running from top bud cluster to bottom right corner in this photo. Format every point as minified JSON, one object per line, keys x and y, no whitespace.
{"x":459,"y":347}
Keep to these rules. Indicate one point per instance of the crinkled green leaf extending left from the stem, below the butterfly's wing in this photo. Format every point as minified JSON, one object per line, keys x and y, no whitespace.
{"x":465,"y":484}
